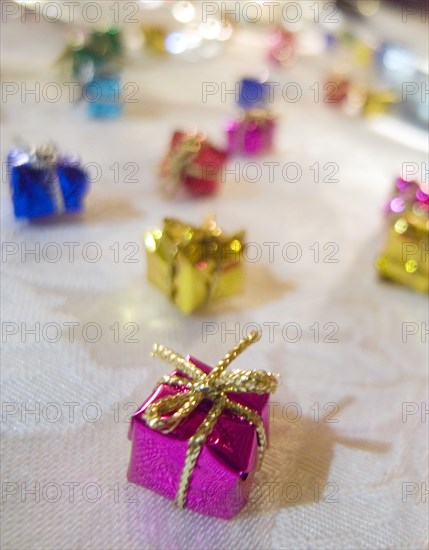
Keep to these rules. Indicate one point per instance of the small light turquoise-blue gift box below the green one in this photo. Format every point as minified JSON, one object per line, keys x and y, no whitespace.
{"x":103,"y":95}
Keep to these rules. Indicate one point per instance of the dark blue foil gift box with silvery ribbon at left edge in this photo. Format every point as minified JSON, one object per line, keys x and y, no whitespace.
{"x":45,"y":184}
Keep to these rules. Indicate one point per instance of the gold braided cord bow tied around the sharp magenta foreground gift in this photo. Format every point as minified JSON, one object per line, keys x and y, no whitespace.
{"x":166,"y":414}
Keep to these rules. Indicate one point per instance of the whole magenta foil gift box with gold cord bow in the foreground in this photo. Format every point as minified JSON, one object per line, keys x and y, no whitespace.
{"x":201,"y":434}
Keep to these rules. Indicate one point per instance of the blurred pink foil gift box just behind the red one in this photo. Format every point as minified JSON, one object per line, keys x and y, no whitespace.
{"x":252,"y":134}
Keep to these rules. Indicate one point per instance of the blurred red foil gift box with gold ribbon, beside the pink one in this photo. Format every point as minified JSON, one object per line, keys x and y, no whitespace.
{"x":193,"y":164}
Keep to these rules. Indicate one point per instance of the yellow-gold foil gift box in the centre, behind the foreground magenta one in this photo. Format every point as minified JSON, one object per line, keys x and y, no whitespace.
{"x":194,"y":265}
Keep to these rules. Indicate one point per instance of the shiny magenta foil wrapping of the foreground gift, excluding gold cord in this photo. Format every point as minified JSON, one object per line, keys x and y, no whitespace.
{"x":222,"y":478}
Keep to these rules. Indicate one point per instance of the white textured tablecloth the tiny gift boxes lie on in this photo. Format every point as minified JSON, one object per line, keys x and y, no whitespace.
{"x":351,"y":473}
